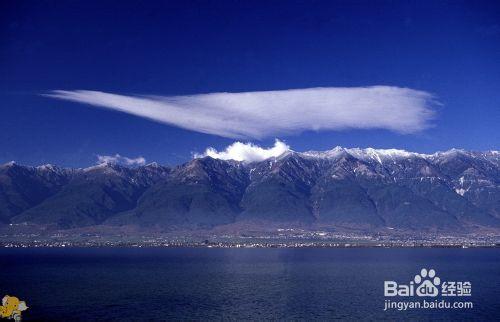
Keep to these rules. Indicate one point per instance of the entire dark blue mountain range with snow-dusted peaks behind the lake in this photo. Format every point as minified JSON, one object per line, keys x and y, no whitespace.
{"x":455,"y":190}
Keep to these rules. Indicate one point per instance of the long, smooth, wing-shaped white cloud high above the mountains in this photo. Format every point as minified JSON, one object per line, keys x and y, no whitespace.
{"x":270,"y":113}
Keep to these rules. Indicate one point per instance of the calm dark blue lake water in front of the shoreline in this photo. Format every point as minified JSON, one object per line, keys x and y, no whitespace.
{"x":244,"y":284}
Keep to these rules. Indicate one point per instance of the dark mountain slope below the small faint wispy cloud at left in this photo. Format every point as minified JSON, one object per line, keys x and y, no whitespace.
{"x":93,"y":195}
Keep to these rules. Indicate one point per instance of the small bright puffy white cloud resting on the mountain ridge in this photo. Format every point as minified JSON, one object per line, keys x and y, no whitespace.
{"x":246,"y":152}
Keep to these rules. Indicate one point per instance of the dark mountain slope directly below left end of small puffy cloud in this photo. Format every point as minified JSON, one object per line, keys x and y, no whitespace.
{"x":202,"y":193}
